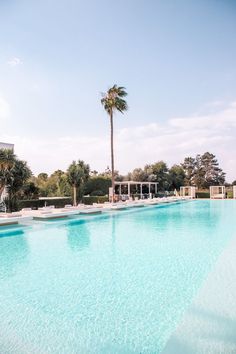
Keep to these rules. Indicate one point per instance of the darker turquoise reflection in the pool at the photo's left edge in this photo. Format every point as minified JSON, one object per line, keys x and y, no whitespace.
{"x":14,"y":252}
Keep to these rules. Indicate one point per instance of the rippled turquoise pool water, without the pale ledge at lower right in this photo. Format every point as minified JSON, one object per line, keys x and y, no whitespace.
{"x":118,"y":283}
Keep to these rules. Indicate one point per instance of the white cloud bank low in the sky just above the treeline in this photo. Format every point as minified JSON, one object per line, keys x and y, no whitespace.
{"x":136,"y":146}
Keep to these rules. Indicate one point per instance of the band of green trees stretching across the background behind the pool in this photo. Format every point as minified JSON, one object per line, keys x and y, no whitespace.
{"x":78,"y":180}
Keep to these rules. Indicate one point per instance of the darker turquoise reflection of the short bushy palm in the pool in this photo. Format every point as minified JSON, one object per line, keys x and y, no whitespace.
{"x":78,"y":236}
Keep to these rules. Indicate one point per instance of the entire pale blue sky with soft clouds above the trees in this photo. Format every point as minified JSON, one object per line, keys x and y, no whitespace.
{"x":176,"y":59}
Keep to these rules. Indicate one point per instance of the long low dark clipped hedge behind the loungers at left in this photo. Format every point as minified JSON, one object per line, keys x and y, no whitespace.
{"x":39,"y":203}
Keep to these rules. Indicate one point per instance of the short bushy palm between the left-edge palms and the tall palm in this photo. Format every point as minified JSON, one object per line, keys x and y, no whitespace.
{"x":77,"y":174}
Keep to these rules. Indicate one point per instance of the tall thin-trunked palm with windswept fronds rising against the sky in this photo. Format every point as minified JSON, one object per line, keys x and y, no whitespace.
{"x":113,"y":100}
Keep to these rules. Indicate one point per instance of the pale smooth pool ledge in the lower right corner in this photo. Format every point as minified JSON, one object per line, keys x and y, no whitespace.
{"x":209,"y":325}
